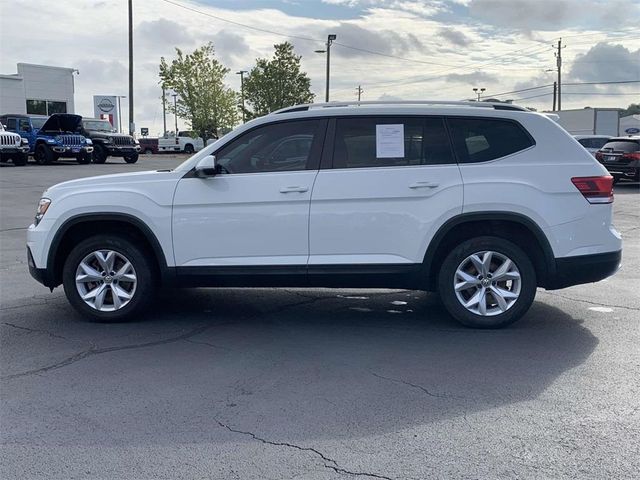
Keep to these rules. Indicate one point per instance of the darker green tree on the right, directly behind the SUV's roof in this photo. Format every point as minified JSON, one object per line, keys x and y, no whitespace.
{"x":277,"y":83}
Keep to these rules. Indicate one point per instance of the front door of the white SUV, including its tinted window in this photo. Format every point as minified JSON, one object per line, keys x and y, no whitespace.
{"x":256,"y":212}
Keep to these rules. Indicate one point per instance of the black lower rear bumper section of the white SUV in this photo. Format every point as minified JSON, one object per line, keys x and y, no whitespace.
{"x":584,"y":269}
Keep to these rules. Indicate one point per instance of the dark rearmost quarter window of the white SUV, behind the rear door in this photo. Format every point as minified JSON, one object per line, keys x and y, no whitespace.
{"x":484,"y":139}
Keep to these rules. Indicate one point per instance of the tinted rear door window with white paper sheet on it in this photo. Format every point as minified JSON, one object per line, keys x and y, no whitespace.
{"x":423,"y":141}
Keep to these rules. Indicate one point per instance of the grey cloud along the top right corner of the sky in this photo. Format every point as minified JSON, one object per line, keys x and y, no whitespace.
{"x":540,"y":15}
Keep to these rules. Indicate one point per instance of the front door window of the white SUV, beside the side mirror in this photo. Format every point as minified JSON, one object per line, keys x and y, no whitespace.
{"x":278,"y":147}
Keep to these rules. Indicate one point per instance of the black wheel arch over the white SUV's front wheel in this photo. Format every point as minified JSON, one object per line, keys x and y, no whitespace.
{"x":82,"y":226}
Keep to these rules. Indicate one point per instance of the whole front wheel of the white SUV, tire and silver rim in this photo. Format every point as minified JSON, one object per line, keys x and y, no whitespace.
{"x":135,"y":285}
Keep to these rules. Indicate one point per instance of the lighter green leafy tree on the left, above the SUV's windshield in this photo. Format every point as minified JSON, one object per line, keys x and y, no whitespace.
{"x":204,"y":100}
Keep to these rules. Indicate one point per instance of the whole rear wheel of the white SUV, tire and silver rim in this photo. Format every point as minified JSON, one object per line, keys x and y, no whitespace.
{"x":459,"y":268}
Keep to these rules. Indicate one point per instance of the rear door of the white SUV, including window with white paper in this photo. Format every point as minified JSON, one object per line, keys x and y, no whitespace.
{"x":392,"y":182}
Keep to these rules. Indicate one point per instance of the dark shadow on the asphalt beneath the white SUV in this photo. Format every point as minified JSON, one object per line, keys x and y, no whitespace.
{"x":299,"y":364}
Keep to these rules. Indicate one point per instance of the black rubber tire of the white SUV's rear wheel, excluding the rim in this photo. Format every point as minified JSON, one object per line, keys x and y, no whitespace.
{"x":447,"y":278}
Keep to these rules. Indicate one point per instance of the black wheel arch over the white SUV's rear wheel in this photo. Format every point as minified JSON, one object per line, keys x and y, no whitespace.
{"x":514,"y":227}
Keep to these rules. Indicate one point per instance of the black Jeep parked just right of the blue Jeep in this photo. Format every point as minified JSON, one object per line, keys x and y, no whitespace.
{"x":108,"y":143}
